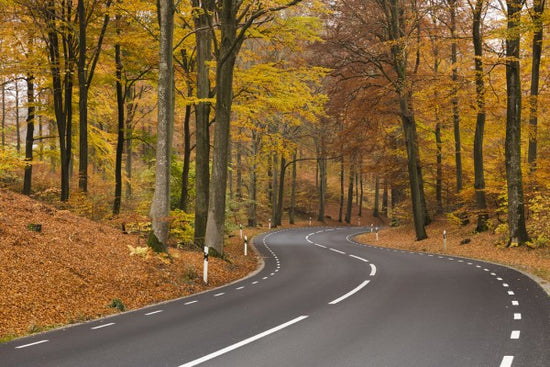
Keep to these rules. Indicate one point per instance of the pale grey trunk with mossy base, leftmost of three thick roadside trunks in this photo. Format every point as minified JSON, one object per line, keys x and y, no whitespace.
{"x":160,"y":206}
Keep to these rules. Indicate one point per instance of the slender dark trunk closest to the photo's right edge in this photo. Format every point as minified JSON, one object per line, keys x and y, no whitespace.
{"x":536,"y":14}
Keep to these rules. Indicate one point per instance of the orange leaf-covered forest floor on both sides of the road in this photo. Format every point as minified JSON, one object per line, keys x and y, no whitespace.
{"x":74,"y":269}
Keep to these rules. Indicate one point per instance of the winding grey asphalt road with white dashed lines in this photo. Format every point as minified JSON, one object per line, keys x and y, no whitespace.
{"x":322,"y":300}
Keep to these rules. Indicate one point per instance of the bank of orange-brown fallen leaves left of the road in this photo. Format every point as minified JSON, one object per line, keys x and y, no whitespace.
{"x":74,"y":268}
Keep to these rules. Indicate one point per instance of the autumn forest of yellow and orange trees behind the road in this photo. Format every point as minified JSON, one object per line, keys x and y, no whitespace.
{"x":189,"y":118}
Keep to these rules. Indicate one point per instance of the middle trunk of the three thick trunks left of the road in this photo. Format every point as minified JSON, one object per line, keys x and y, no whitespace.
{"x":202,"y":116}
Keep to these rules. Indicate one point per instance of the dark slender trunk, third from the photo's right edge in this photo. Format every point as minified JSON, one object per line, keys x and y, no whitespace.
{"x":479,"y":174}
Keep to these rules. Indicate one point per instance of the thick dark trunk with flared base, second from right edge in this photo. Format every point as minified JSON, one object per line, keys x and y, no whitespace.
{"x":516,"y":215}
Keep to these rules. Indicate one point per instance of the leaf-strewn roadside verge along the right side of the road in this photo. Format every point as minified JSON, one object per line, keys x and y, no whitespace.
{"x":462,"y":241}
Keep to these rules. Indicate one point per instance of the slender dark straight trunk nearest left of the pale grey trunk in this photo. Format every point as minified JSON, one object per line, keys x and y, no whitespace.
{"x":120,"y":129}
